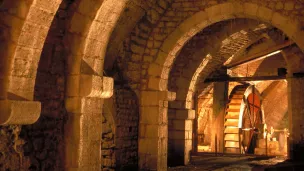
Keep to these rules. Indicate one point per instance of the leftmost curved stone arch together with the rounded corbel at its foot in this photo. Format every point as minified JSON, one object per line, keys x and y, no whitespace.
{"x":24,"y":30}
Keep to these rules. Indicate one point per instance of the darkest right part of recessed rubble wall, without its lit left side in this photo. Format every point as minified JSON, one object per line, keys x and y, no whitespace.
{"x":127,"y":118}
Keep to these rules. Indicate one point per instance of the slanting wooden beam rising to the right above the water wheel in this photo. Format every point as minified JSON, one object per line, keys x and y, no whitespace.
{"x":261,"y":54}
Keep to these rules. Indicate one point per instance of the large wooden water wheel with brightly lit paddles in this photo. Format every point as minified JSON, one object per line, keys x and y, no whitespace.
{"x":243,"y":117}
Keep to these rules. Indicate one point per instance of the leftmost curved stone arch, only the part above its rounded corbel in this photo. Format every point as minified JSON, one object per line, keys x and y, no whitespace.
{"x":24,"y":30}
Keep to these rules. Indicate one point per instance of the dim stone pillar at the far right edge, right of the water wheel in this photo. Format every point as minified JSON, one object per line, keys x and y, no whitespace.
{"x":295,"y":62}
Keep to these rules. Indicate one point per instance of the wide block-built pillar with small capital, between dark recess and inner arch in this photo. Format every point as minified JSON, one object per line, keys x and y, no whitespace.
{"x":153,"y":130}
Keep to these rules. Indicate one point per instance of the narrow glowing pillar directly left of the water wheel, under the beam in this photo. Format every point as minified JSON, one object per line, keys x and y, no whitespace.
{"x":220,"y":97}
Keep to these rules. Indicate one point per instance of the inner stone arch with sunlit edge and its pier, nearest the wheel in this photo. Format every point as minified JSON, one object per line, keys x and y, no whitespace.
{"x":199,"y":65}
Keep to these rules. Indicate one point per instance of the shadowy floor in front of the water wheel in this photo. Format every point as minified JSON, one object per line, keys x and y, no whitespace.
{"x":229,"y":163}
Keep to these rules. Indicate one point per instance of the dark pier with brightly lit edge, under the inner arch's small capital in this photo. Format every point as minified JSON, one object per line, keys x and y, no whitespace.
{"x":180,"y":136}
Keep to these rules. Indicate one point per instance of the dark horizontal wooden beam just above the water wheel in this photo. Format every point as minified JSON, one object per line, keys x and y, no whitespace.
{"x":243,"y":79}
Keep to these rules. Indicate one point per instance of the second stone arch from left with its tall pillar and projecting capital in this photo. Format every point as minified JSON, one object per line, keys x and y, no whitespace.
{"x":86,"y":86}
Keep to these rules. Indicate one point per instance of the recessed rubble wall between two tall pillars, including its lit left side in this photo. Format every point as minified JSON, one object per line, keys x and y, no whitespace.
{"x":120,"y":130}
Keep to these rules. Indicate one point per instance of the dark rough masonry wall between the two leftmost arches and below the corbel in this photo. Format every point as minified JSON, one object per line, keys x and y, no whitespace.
{"x":40,"y":146}
